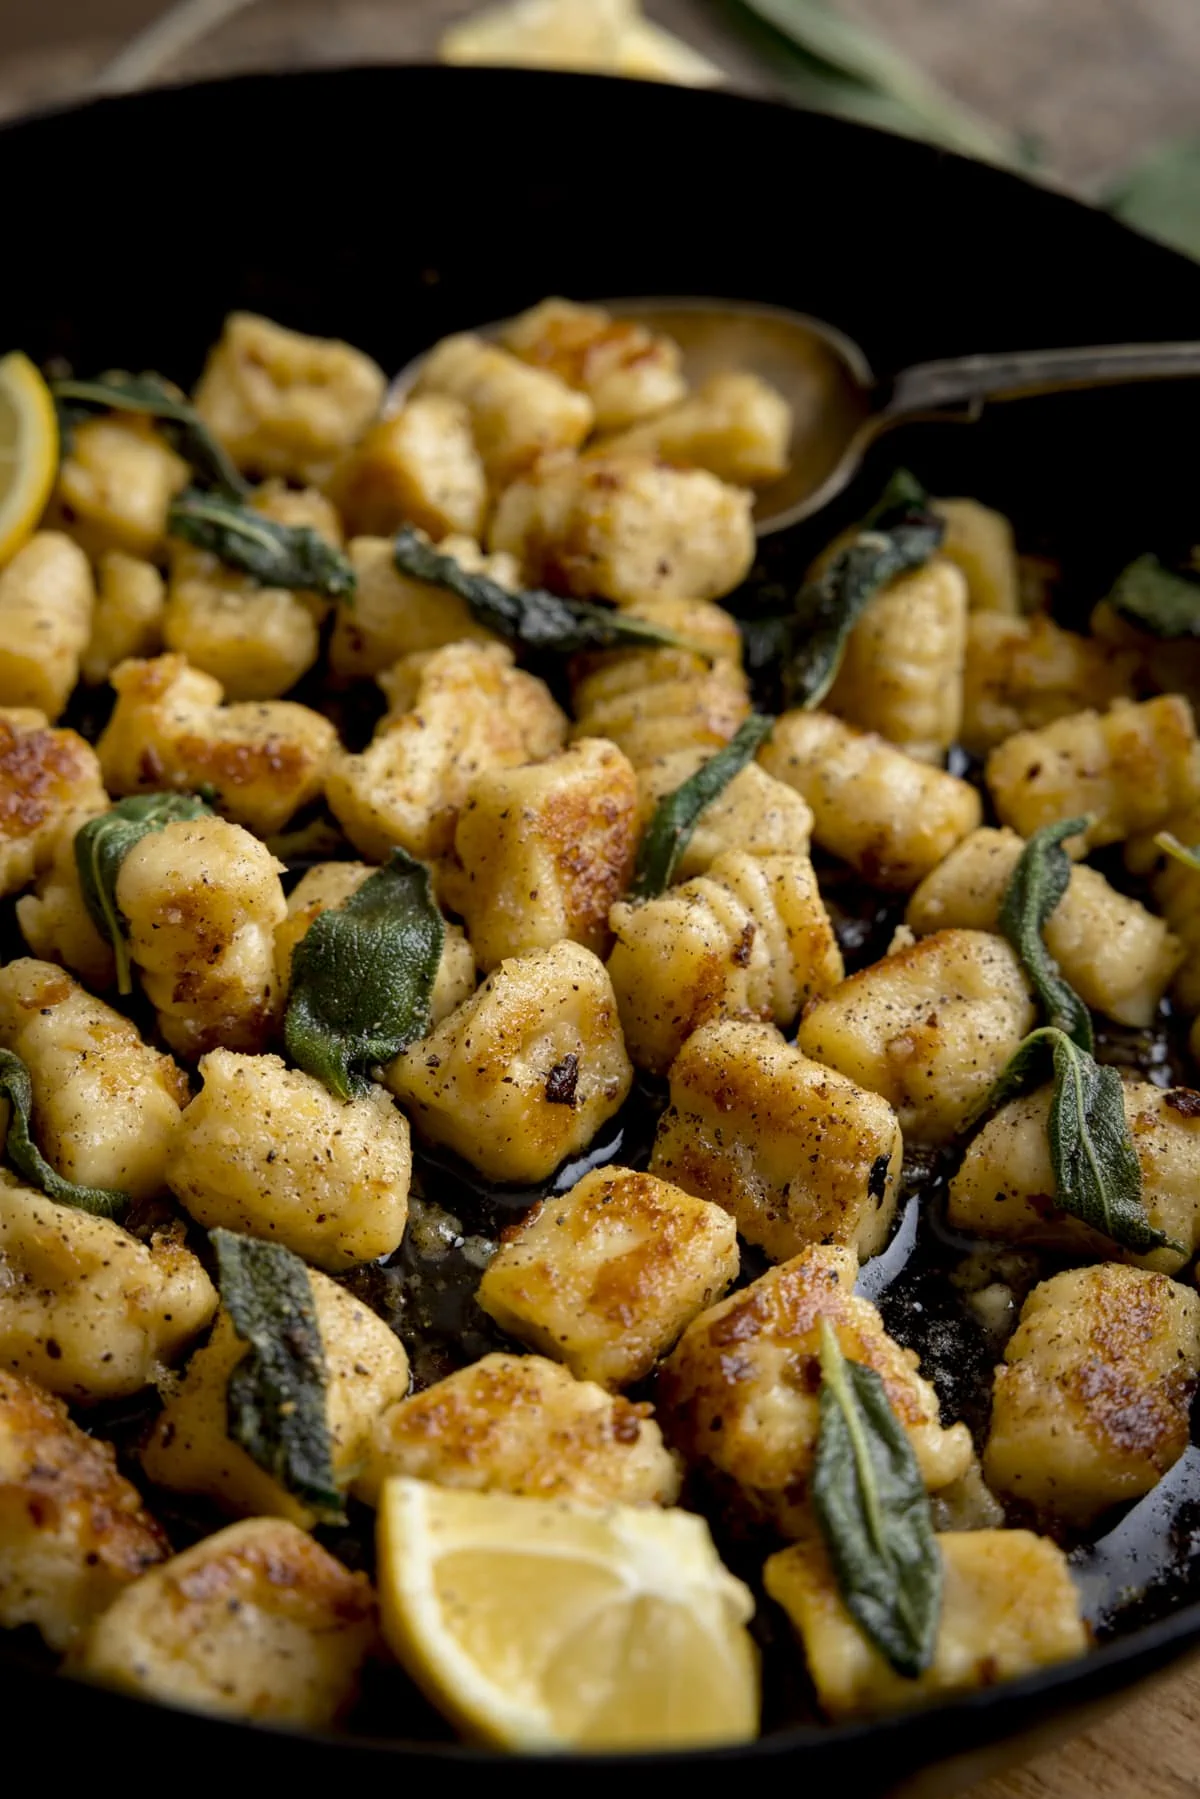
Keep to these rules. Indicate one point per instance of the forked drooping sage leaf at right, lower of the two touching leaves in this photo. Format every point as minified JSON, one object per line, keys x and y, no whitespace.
{"x":1098,"y":1177}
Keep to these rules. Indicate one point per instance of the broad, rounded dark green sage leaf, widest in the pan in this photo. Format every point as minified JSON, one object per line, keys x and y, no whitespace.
{"x":363,"y":978}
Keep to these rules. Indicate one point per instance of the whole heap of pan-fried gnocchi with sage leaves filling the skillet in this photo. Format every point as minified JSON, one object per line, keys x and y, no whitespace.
{"x":463,"y":1066}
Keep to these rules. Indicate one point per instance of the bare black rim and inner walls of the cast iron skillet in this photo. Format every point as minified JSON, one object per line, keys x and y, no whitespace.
{"x":391,"y":206}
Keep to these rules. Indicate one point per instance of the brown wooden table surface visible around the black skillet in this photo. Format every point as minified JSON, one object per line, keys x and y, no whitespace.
{"x":1095,"y":80}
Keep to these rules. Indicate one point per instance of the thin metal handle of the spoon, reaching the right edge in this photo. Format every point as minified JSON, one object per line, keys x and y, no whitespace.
{"x":1008,"y":375}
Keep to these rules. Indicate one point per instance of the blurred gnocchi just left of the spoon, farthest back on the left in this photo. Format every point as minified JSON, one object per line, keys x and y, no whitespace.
{"x":287,"y":404}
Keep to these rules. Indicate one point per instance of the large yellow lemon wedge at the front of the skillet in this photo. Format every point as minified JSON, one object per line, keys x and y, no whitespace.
{"x":539,"y":1624}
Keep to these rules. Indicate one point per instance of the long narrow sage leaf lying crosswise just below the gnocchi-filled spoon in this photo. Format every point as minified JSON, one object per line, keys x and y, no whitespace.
{"x":528,"y":616}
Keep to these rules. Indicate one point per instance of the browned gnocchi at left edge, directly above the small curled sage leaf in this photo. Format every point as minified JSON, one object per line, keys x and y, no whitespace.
{"x":107,"y":1105}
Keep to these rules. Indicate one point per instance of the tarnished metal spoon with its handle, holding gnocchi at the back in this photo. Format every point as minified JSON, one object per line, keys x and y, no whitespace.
{"x":839,"y":406}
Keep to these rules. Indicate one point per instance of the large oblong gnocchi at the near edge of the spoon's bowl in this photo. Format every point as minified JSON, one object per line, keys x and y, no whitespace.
{"x":625,"y":530}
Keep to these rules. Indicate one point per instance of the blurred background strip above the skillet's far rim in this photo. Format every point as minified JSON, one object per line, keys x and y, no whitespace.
{"x":1082,"y":91}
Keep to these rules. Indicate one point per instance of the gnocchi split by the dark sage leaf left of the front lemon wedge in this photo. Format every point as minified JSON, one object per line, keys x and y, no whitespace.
{"x":193,"y":1453}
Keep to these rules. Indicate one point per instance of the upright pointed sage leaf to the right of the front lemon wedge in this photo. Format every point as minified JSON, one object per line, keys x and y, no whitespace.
{"x":875,"y":1514}
